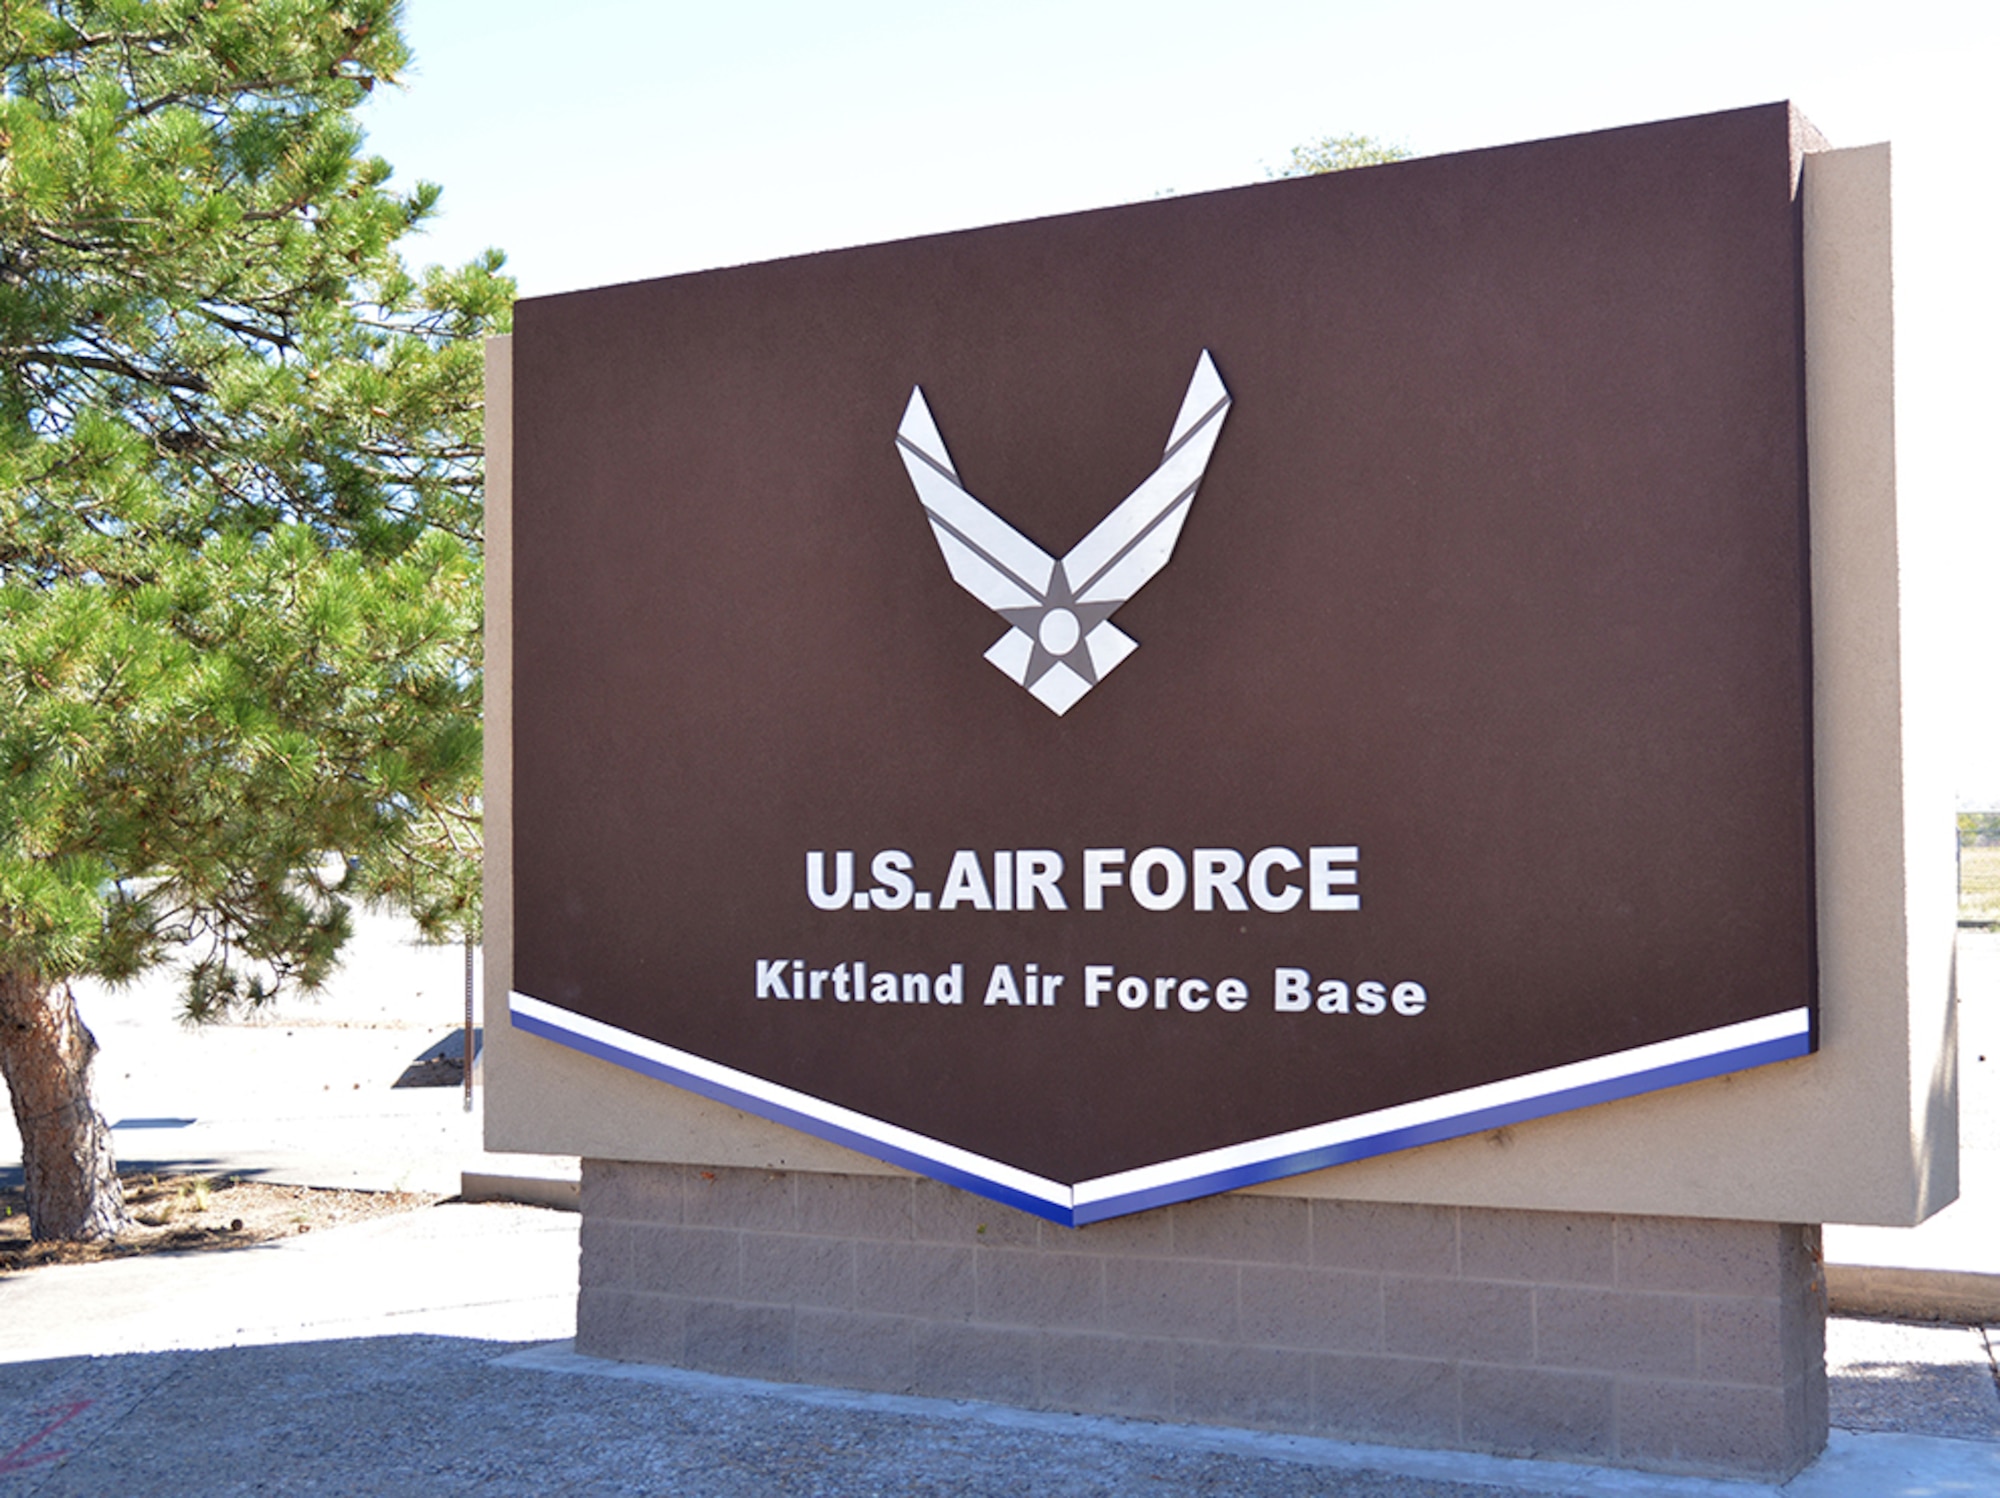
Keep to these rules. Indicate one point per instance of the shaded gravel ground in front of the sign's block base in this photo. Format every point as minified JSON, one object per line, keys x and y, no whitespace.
{"x":441,"y":1417}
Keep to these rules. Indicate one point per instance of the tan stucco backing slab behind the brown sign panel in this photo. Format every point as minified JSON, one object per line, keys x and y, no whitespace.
{"x":1867,"y":1131}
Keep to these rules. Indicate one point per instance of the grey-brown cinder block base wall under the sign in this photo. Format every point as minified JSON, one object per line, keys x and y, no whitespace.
{"x":1659,"y":1343}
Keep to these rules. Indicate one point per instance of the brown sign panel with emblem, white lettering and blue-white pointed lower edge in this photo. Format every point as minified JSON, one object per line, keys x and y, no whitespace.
{"x":1131,"y":705}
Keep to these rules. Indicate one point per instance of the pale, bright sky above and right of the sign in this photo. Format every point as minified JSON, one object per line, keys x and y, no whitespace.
{"x":617,"y":141}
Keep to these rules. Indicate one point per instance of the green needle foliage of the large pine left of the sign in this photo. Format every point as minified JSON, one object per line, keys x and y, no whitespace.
{"x":239,"y":499}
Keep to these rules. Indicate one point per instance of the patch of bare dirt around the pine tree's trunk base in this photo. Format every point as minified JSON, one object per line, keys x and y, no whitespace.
{"x":175,"y":1215}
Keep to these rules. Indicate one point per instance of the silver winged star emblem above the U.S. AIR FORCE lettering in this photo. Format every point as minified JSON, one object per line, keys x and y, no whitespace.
{"x":1061,"y":639}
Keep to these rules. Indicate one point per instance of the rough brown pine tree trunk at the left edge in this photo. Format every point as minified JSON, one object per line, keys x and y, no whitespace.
{"x":65,"y":1147}
